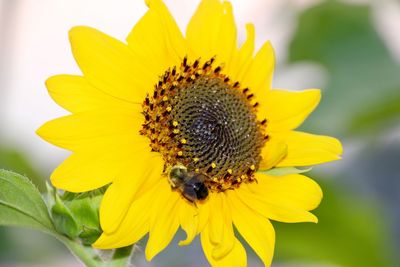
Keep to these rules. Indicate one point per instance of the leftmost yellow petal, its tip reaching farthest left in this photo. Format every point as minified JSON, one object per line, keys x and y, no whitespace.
{"x":104,"y":127}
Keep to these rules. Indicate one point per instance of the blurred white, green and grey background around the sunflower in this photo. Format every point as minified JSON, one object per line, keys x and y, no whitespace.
{"x":350,"y":49}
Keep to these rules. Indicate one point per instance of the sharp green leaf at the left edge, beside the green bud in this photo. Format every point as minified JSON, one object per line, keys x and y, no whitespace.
{"x":21,"y":203}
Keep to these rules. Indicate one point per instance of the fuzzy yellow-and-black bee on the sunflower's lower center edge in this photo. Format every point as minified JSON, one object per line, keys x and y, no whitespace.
{"x":190,"y":184}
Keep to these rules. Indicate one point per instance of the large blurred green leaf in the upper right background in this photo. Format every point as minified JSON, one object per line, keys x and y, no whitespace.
{"x":363,"y":90}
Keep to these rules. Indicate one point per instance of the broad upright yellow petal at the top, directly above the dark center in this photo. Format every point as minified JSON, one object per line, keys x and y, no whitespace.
{"x":212,"y":31}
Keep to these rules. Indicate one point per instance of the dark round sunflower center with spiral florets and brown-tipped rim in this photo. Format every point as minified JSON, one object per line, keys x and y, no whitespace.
{"x":198,"y":118}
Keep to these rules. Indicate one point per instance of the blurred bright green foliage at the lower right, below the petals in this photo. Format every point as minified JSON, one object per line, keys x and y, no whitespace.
{"x":349,"y":233}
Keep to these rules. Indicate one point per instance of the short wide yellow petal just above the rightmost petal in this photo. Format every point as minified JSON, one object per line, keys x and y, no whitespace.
{"x":286,"y":110}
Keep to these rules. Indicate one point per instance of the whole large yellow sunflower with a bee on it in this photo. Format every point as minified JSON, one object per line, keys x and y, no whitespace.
{"x":183,"y":129}
